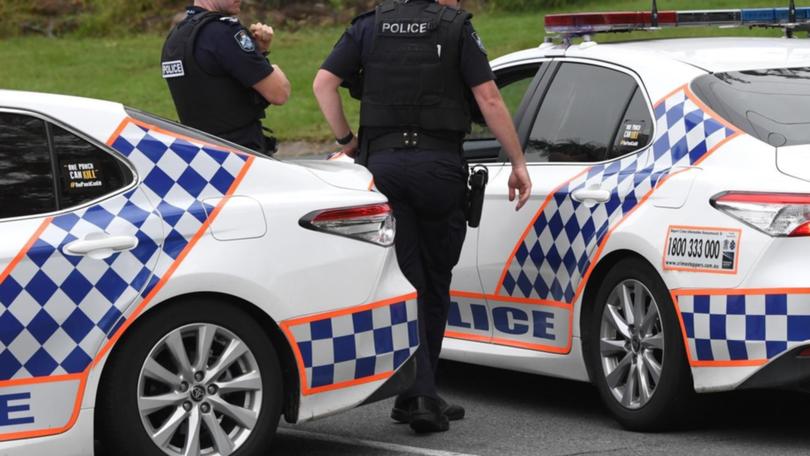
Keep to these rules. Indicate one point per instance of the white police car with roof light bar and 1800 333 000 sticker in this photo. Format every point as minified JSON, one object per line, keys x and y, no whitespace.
{"x":665,"y":248}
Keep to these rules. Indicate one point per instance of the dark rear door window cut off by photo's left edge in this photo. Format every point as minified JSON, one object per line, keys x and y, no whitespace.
{"x":26,"y":175}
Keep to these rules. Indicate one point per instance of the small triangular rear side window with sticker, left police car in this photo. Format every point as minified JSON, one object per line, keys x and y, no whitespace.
{"x":85,"y":171}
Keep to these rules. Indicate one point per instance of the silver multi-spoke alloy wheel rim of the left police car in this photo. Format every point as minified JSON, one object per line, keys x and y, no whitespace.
{"x":199,"y":392}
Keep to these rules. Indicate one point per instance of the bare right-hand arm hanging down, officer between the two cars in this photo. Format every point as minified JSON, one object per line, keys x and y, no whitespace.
{"x":500,"y":123}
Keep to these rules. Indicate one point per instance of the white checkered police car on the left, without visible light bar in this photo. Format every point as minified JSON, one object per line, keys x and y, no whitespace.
{"x":169,"y":293}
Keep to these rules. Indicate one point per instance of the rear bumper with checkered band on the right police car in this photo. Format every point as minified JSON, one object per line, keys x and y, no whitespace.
{"x":748,"y":336}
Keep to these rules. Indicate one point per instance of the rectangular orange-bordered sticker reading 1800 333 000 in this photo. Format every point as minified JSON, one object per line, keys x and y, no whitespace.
{"x":700,"y":249}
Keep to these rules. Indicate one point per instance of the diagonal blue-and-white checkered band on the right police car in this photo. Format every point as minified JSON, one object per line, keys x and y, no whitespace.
{"x":554,"y":256}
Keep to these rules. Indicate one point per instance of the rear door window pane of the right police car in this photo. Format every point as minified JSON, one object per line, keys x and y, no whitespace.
{"x":581,"y":114}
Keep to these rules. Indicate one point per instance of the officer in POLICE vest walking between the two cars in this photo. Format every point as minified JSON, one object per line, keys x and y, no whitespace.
{"x":414,"y":64}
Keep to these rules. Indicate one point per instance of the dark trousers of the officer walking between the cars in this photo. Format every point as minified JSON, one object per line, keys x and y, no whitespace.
{"x":426,"y":190}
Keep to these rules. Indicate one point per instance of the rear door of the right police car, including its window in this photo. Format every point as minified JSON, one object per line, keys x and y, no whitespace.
{"x":582,"y":118}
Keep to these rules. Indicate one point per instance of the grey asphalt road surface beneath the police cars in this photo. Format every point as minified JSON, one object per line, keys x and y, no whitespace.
{"x":511,"y":413}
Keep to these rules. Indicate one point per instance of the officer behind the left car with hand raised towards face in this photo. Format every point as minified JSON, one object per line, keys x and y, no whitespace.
{"x":219,"y":76}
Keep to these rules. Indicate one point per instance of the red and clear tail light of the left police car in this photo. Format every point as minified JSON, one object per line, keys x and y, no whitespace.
{"x":373,"y":223}
